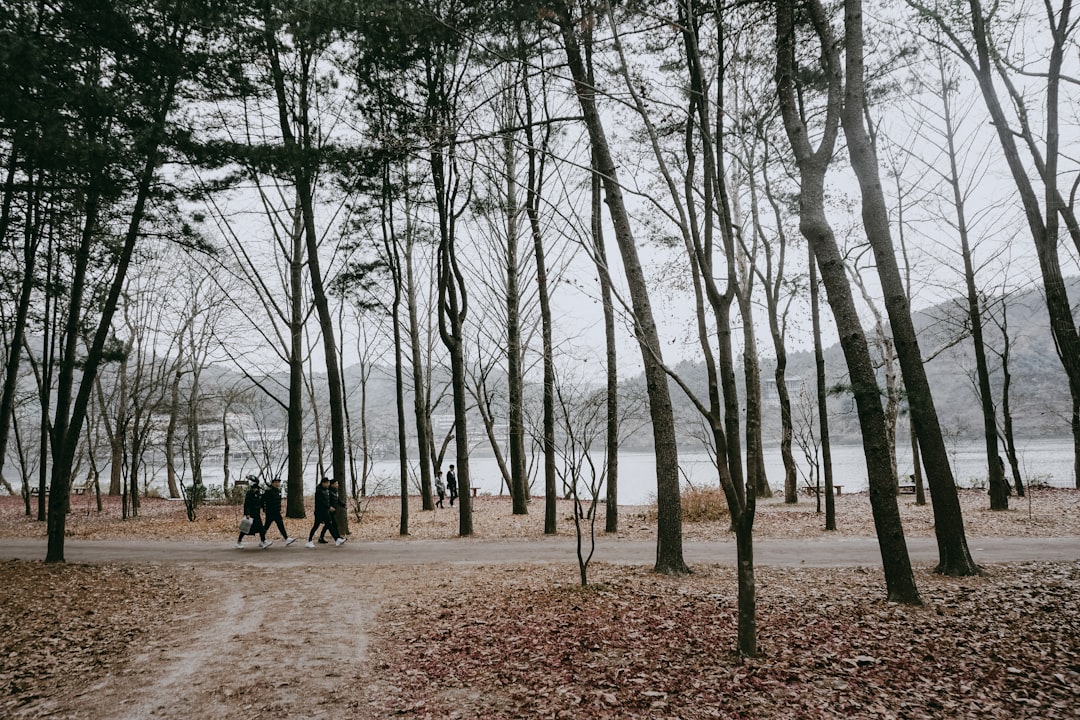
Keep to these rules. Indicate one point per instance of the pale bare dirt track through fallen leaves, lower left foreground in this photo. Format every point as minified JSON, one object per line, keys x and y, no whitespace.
{"x":268,"y":643}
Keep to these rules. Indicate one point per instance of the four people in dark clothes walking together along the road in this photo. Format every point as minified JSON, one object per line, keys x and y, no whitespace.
{"x":264,"y":510}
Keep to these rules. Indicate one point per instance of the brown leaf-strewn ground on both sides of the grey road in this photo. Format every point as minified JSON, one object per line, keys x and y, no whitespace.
{"x":511,"y":640}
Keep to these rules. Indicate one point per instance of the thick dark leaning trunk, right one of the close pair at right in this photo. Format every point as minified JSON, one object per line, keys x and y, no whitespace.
{"x":954,"y":556}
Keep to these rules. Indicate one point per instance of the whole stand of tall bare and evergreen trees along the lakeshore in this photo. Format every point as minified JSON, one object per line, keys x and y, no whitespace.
{"x":430,"y":185}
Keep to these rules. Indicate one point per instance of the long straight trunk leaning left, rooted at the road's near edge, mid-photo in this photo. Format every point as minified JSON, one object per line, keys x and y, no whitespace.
{"x":670,"y":517}
